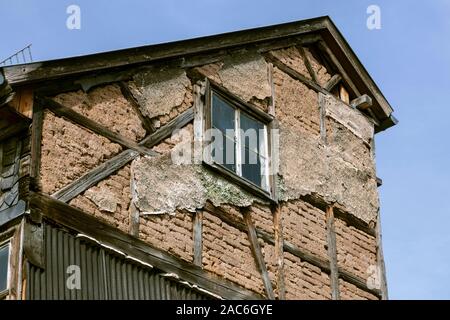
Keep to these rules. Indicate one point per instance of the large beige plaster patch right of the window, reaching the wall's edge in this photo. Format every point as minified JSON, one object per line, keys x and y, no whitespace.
{"x":308,"y":166}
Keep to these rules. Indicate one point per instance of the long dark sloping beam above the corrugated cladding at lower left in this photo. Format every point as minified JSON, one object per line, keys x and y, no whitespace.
{"x":76,"y":220}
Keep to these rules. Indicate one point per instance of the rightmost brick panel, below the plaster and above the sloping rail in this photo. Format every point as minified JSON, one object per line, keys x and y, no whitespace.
{"x":356,"y":250}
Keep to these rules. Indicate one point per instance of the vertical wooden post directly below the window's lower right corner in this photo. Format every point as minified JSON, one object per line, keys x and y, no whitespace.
{"x":279,"y":251}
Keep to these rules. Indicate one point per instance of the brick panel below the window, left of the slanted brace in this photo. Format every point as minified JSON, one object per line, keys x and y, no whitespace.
{"x":227,"y":253}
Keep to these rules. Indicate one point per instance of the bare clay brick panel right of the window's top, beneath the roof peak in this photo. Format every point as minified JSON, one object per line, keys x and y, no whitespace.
{"x":296,"y":106}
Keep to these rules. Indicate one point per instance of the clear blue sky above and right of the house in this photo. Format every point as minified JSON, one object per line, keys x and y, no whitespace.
{"x":409,"y":58}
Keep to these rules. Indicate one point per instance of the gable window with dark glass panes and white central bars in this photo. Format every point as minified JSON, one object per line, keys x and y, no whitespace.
{"x":239,"y":139}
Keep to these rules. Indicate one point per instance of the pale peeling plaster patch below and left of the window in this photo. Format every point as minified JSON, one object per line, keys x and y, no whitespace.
{"x":185,"y":187}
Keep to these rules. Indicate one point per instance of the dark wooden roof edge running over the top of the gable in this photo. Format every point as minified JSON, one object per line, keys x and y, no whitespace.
{"x":188,"y":53}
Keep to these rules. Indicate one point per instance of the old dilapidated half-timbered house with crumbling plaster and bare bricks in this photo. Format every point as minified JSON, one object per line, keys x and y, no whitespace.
{"x":96,"y":204}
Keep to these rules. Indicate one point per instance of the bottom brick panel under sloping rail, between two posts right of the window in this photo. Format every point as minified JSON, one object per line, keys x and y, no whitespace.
{"x":304,"y":281}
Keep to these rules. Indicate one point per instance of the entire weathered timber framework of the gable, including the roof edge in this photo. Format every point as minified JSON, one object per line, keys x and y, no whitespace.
{"x":110,"y":68}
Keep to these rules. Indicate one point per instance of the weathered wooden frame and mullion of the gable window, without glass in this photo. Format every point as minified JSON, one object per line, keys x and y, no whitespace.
{"x":257,"y":114}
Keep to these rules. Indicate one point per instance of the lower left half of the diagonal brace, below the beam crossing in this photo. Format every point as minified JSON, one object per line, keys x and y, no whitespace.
{"x":97,"y":174}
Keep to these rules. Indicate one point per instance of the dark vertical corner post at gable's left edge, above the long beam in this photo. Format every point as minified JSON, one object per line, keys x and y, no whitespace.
{"x":36,"y":141}
